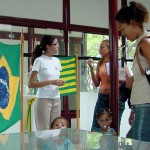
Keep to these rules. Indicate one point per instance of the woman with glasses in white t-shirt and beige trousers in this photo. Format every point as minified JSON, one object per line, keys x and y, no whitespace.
{"x":47,"y":69}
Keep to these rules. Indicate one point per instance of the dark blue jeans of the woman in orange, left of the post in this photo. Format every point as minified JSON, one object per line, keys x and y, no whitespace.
{"x":102,"y":102}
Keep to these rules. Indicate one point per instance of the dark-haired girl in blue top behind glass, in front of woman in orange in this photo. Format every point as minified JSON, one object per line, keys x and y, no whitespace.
{"x":104,"y":120}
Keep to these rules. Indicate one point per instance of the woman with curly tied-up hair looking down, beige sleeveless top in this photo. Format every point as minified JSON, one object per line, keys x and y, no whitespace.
{"x":130,"y":21}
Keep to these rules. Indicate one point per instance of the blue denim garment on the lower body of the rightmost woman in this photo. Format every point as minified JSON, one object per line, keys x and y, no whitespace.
{"x":140,"y":129}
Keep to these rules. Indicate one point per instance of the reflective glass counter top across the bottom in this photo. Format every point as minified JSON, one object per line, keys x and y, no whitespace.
{"x":68,"y":139}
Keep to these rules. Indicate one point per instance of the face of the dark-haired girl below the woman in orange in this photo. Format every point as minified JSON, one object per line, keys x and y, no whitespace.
{"x":104,"y":121}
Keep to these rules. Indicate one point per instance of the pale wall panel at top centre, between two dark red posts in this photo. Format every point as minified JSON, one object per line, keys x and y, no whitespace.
{"x":89,"y":13}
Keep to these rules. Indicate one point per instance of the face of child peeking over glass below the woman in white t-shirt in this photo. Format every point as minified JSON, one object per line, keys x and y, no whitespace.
{"x":60,"y":123}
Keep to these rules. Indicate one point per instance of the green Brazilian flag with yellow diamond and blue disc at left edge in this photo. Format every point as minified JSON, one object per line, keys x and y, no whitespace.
{"x":9,"y":85}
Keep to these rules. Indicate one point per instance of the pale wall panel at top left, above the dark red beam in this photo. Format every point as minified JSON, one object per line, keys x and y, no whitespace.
{"x":49,"y":10}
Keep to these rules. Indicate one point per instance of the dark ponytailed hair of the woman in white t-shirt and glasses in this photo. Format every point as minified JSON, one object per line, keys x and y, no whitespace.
{"x":39,"y":49}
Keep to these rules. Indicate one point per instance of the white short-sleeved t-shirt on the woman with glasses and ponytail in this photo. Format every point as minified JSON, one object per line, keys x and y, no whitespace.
{"x":48,"y":68}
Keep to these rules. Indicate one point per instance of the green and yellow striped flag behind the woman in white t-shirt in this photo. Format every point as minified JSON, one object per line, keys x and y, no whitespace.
{"x":68,"y":74}
